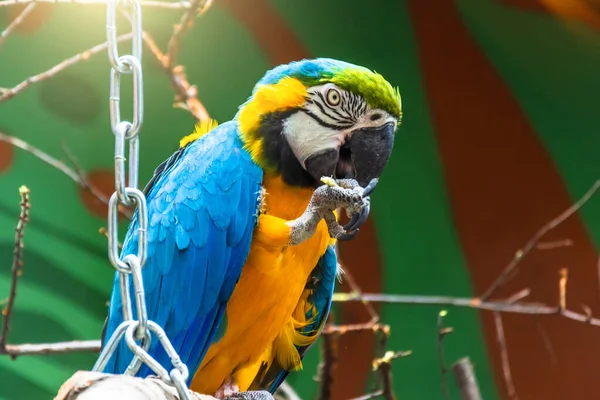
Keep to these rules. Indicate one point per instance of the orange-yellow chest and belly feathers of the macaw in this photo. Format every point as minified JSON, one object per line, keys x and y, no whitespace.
{"x":267,"y":295}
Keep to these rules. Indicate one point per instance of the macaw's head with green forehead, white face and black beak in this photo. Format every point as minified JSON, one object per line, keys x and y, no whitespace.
{"x":321,"y":117}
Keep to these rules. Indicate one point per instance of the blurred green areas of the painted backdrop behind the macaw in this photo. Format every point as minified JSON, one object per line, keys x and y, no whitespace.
{"x":67,"y":277}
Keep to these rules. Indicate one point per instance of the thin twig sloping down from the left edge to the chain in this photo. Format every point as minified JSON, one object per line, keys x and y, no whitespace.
{"x":76,"y":176}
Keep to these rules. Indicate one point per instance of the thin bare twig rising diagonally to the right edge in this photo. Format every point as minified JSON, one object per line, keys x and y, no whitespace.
{"x":532,"y":243}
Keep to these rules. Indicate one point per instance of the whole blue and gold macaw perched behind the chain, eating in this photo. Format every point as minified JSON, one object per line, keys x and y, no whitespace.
{"x":242,"y":228}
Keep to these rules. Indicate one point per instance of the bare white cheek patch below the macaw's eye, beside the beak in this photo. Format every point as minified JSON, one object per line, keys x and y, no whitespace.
{"x":306,"y":137}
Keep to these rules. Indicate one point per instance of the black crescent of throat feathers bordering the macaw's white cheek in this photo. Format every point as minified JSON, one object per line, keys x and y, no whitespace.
{"x":278,"y":153}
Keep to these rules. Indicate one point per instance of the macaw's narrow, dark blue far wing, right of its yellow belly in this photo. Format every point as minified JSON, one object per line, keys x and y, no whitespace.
{"x":322,"y":283}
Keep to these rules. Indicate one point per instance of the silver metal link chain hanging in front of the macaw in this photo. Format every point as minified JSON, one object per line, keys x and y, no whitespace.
{"x":136,"y":332}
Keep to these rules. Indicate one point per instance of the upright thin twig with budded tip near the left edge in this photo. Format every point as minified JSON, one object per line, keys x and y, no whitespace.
{"x":16,"y":266}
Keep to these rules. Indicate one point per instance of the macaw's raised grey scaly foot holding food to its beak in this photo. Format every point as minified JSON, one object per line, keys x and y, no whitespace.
{"x":345,"y":193}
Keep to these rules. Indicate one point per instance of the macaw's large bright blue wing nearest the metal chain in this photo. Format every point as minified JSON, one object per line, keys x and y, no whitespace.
{"x":202,"y":205}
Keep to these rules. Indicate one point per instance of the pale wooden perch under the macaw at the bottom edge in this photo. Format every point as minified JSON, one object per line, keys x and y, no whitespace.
{"x":85,"y":385}
